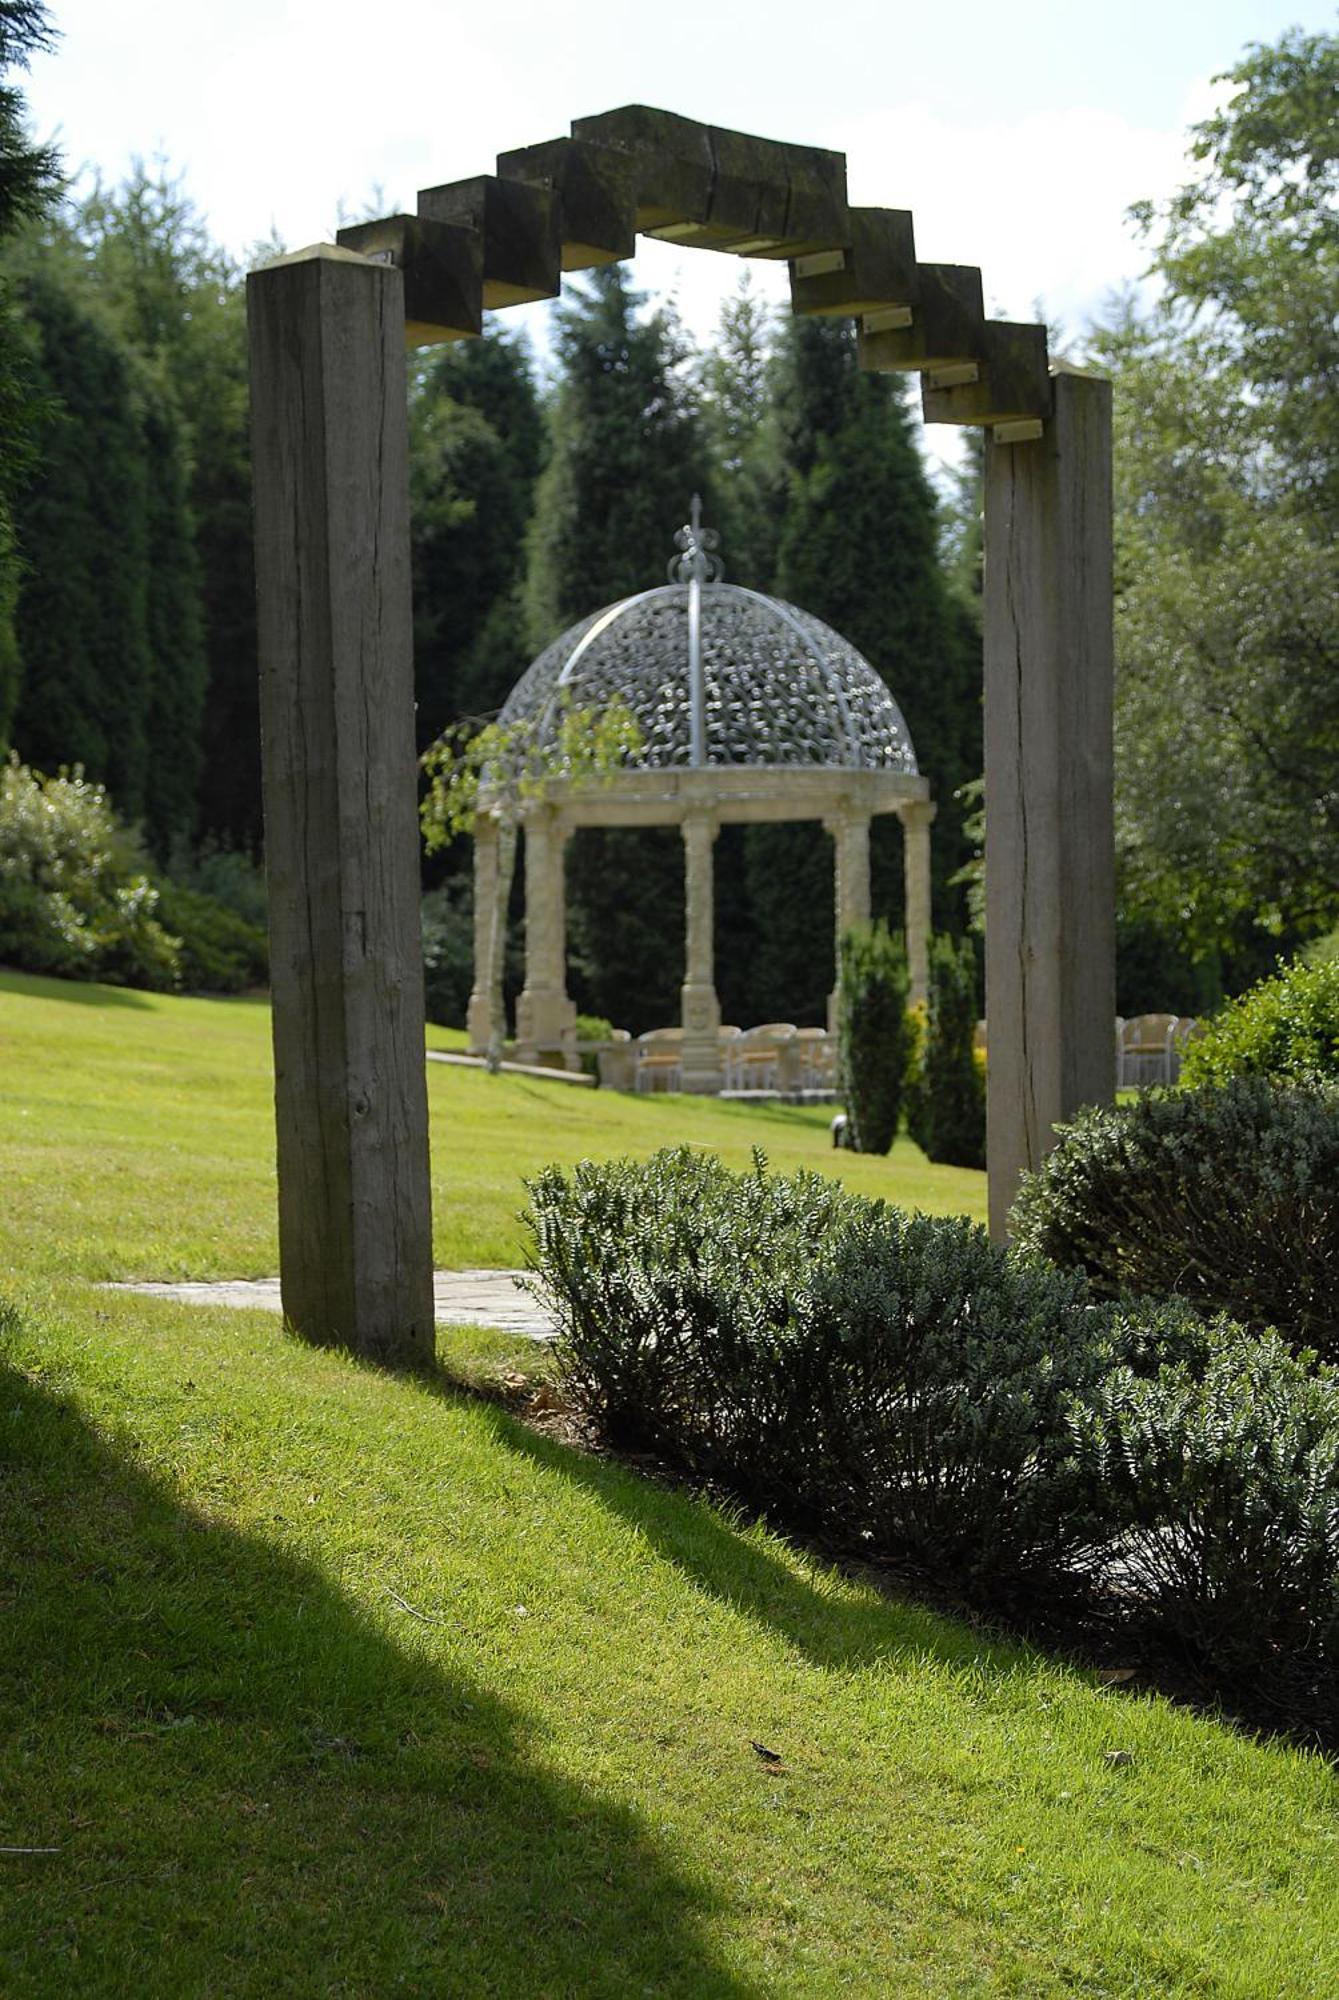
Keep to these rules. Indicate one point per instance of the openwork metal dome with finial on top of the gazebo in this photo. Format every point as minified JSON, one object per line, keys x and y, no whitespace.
{"x":716,"y":675}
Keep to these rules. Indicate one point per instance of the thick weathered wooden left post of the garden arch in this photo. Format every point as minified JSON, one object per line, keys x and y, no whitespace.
{"x":337,"y":709}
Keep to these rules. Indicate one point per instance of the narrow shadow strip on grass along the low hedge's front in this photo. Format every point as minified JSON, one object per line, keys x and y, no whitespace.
{"x":828,"y":1629}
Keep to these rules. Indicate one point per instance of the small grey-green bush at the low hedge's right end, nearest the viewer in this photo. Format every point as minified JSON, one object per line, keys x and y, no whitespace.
{"x":1226,"y":1485}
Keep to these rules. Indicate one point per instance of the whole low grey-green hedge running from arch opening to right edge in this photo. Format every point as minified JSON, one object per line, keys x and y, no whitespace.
{"x":920,"y":1397}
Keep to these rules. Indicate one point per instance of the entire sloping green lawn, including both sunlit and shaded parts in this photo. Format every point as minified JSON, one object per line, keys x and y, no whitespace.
{"x":331,"y":1683}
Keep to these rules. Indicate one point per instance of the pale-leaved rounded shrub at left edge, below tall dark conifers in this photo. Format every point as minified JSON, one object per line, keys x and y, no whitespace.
{"x":75,"y":893}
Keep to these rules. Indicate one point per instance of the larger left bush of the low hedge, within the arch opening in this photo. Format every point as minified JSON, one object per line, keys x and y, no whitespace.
{"x":896,"y":1381}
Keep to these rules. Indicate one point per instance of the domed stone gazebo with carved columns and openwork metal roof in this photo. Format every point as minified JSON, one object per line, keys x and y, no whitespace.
{"x":748,"y":709}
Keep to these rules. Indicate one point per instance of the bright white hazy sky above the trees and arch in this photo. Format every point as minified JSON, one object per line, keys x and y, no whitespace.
{"x":1016,"y":133}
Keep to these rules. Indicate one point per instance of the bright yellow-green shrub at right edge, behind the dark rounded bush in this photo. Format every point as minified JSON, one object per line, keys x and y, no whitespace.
{"x":1288,"y":1029}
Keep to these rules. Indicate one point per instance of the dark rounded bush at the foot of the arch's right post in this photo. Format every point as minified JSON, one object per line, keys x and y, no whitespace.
{"x":1224,"y":1197}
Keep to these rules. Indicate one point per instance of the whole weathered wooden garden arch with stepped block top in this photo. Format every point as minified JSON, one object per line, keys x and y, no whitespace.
{"x":329,"y":333}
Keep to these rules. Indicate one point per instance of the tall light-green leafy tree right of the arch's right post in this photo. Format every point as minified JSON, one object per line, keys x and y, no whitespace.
{"x":1228,"y":497}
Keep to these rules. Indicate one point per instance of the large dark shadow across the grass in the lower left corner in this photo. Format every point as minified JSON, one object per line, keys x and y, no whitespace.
{"x":255,"y":1791}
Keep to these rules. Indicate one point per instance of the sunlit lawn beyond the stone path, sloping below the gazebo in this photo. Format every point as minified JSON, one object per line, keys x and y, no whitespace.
{"x":137,"y":1139}
